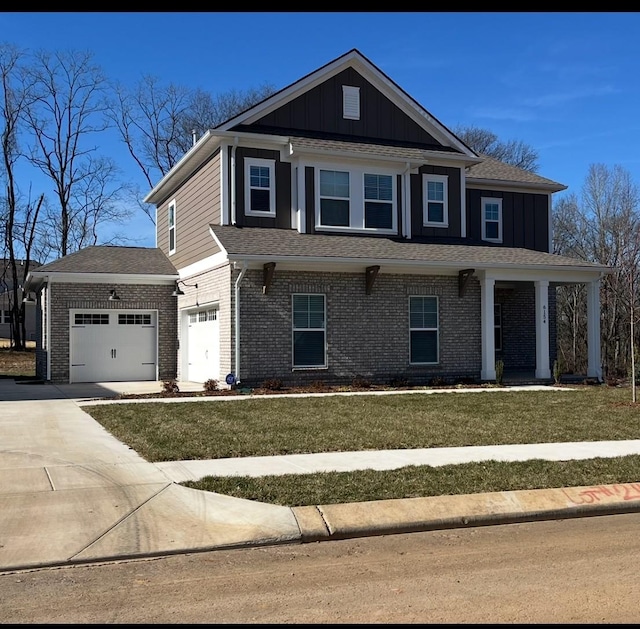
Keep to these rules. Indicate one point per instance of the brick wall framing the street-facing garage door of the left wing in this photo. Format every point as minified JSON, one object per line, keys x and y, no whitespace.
{"x":95,"y":296}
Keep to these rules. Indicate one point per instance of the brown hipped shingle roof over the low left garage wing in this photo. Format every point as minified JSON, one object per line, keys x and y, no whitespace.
{"x":115,"y":260}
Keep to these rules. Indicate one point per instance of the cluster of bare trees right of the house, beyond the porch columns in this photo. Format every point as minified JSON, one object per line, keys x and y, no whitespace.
{"x":602,"y":226}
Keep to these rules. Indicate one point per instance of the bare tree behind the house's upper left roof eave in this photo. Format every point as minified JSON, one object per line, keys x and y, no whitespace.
{"x":158,"y":122}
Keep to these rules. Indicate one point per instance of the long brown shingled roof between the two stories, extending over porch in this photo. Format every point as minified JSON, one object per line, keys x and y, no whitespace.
{"x":241,"y":242}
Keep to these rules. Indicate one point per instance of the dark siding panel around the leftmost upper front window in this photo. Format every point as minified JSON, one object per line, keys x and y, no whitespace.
{"x":283,"y":190}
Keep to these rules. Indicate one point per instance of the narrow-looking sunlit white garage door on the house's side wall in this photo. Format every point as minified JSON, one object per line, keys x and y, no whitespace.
{"x":203,"y":345}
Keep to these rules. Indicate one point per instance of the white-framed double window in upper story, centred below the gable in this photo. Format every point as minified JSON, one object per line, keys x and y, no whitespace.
{"x":358,"y":199}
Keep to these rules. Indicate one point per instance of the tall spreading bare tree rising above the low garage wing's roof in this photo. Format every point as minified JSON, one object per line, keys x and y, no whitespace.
{"x":66,"y":112}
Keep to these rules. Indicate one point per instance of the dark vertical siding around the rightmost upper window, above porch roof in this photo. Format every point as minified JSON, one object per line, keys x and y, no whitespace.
{"x":525,"y":218}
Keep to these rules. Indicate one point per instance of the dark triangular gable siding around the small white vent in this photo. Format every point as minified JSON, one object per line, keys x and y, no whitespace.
{"x":319,"y":111}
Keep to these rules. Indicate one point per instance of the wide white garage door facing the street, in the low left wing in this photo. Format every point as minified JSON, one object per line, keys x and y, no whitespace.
{"x":113,"y":345}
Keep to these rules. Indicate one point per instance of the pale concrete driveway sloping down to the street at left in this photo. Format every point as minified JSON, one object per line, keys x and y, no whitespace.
{"x":71,"y":493}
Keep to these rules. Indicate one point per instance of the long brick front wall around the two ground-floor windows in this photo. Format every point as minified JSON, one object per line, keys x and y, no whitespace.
{"x":367,"y":335}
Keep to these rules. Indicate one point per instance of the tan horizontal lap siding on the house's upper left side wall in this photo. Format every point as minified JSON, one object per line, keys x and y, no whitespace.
{"x":197,"y":206}
